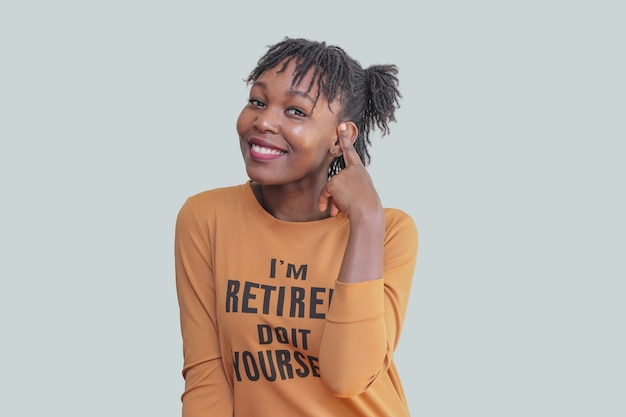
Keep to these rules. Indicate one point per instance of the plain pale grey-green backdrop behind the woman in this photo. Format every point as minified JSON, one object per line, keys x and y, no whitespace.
{"x":508,"y":153}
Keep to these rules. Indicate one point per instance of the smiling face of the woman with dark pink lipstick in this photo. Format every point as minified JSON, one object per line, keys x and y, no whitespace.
{"x":285,"y":139}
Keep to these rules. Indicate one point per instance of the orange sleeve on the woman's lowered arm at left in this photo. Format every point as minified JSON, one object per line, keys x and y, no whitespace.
{"x":207,"y":391}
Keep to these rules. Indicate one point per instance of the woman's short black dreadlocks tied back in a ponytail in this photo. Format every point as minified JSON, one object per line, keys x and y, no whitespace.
{"x":368,"y":97}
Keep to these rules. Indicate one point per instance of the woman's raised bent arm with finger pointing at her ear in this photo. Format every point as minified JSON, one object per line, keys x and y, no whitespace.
{"x":372,"y":290}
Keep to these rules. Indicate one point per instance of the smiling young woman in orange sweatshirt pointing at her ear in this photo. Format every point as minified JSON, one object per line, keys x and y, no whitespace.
{"x":294,"y":285}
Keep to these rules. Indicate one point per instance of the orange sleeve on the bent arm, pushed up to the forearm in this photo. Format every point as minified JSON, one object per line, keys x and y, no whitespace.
{"x":364,"y":321}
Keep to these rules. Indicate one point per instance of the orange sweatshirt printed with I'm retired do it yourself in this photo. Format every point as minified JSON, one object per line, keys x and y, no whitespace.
{"x":268,"y":330}
